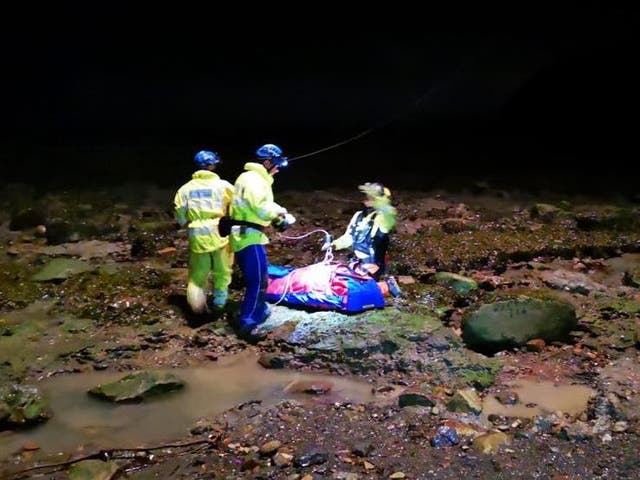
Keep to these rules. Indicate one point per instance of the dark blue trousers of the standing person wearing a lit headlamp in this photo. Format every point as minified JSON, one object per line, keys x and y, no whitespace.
{"x":253,"y":263}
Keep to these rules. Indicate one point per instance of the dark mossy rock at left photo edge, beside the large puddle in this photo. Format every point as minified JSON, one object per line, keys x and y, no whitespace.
{"x":22,"y":405}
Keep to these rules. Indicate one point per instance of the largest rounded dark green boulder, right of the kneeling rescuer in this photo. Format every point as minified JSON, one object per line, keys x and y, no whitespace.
{"x":511,"y":323}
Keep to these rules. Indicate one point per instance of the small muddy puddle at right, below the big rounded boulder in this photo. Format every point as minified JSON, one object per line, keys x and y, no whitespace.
{"x":543,"y":398}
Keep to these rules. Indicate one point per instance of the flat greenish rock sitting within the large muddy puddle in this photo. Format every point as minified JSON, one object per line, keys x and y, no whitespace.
{"x":137,"y":386}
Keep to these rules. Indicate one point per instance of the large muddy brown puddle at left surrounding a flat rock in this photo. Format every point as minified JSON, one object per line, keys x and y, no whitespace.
{"x":80,"y":420}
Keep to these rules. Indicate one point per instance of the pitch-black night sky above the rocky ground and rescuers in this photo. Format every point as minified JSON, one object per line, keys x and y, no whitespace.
{"x":449,"y":94}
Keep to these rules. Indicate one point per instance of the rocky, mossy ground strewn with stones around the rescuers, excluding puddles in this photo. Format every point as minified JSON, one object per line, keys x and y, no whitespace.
{"x":497,"y":287}
